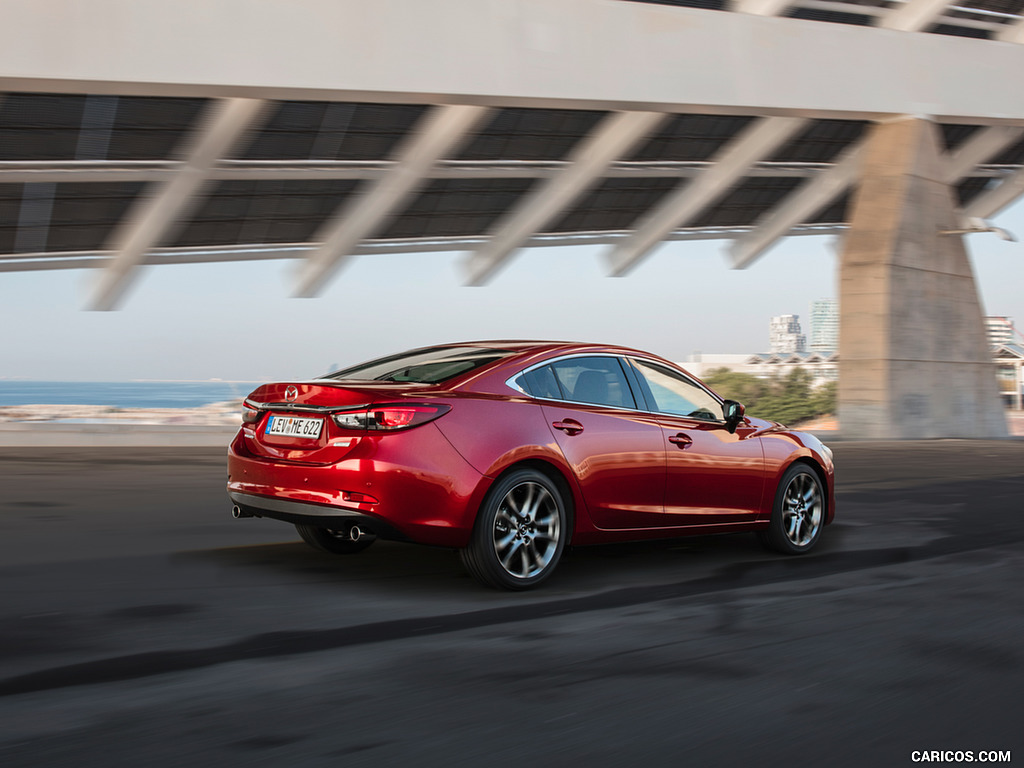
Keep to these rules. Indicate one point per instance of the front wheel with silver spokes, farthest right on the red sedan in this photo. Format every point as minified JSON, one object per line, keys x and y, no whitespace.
{"x":799,"y":514}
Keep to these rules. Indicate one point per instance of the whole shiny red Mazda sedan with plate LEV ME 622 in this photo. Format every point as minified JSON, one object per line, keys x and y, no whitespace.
{"x":511,"y":451}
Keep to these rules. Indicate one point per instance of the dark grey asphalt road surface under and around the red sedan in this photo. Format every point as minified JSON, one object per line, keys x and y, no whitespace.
{"x":142,"y":626}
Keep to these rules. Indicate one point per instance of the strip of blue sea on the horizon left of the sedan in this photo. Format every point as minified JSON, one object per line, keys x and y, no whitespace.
{"x":123,"y":394}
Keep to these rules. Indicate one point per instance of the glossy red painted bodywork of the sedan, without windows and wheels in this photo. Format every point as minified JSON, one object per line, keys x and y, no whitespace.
{"x":631,"y":473}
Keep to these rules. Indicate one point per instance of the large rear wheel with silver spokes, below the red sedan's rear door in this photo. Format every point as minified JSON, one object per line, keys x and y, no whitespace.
{"x":521,"y":533}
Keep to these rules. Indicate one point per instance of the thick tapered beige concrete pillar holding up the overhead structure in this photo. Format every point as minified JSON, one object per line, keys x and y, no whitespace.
{"x":915,"y":360}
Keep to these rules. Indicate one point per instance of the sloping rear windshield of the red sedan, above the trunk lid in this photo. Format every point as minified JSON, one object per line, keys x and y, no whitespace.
{"x":422,"y":366}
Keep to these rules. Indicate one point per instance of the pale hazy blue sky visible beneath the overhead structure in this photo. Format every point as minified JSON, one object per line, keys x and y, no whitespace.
{"x":237,"y":322}
